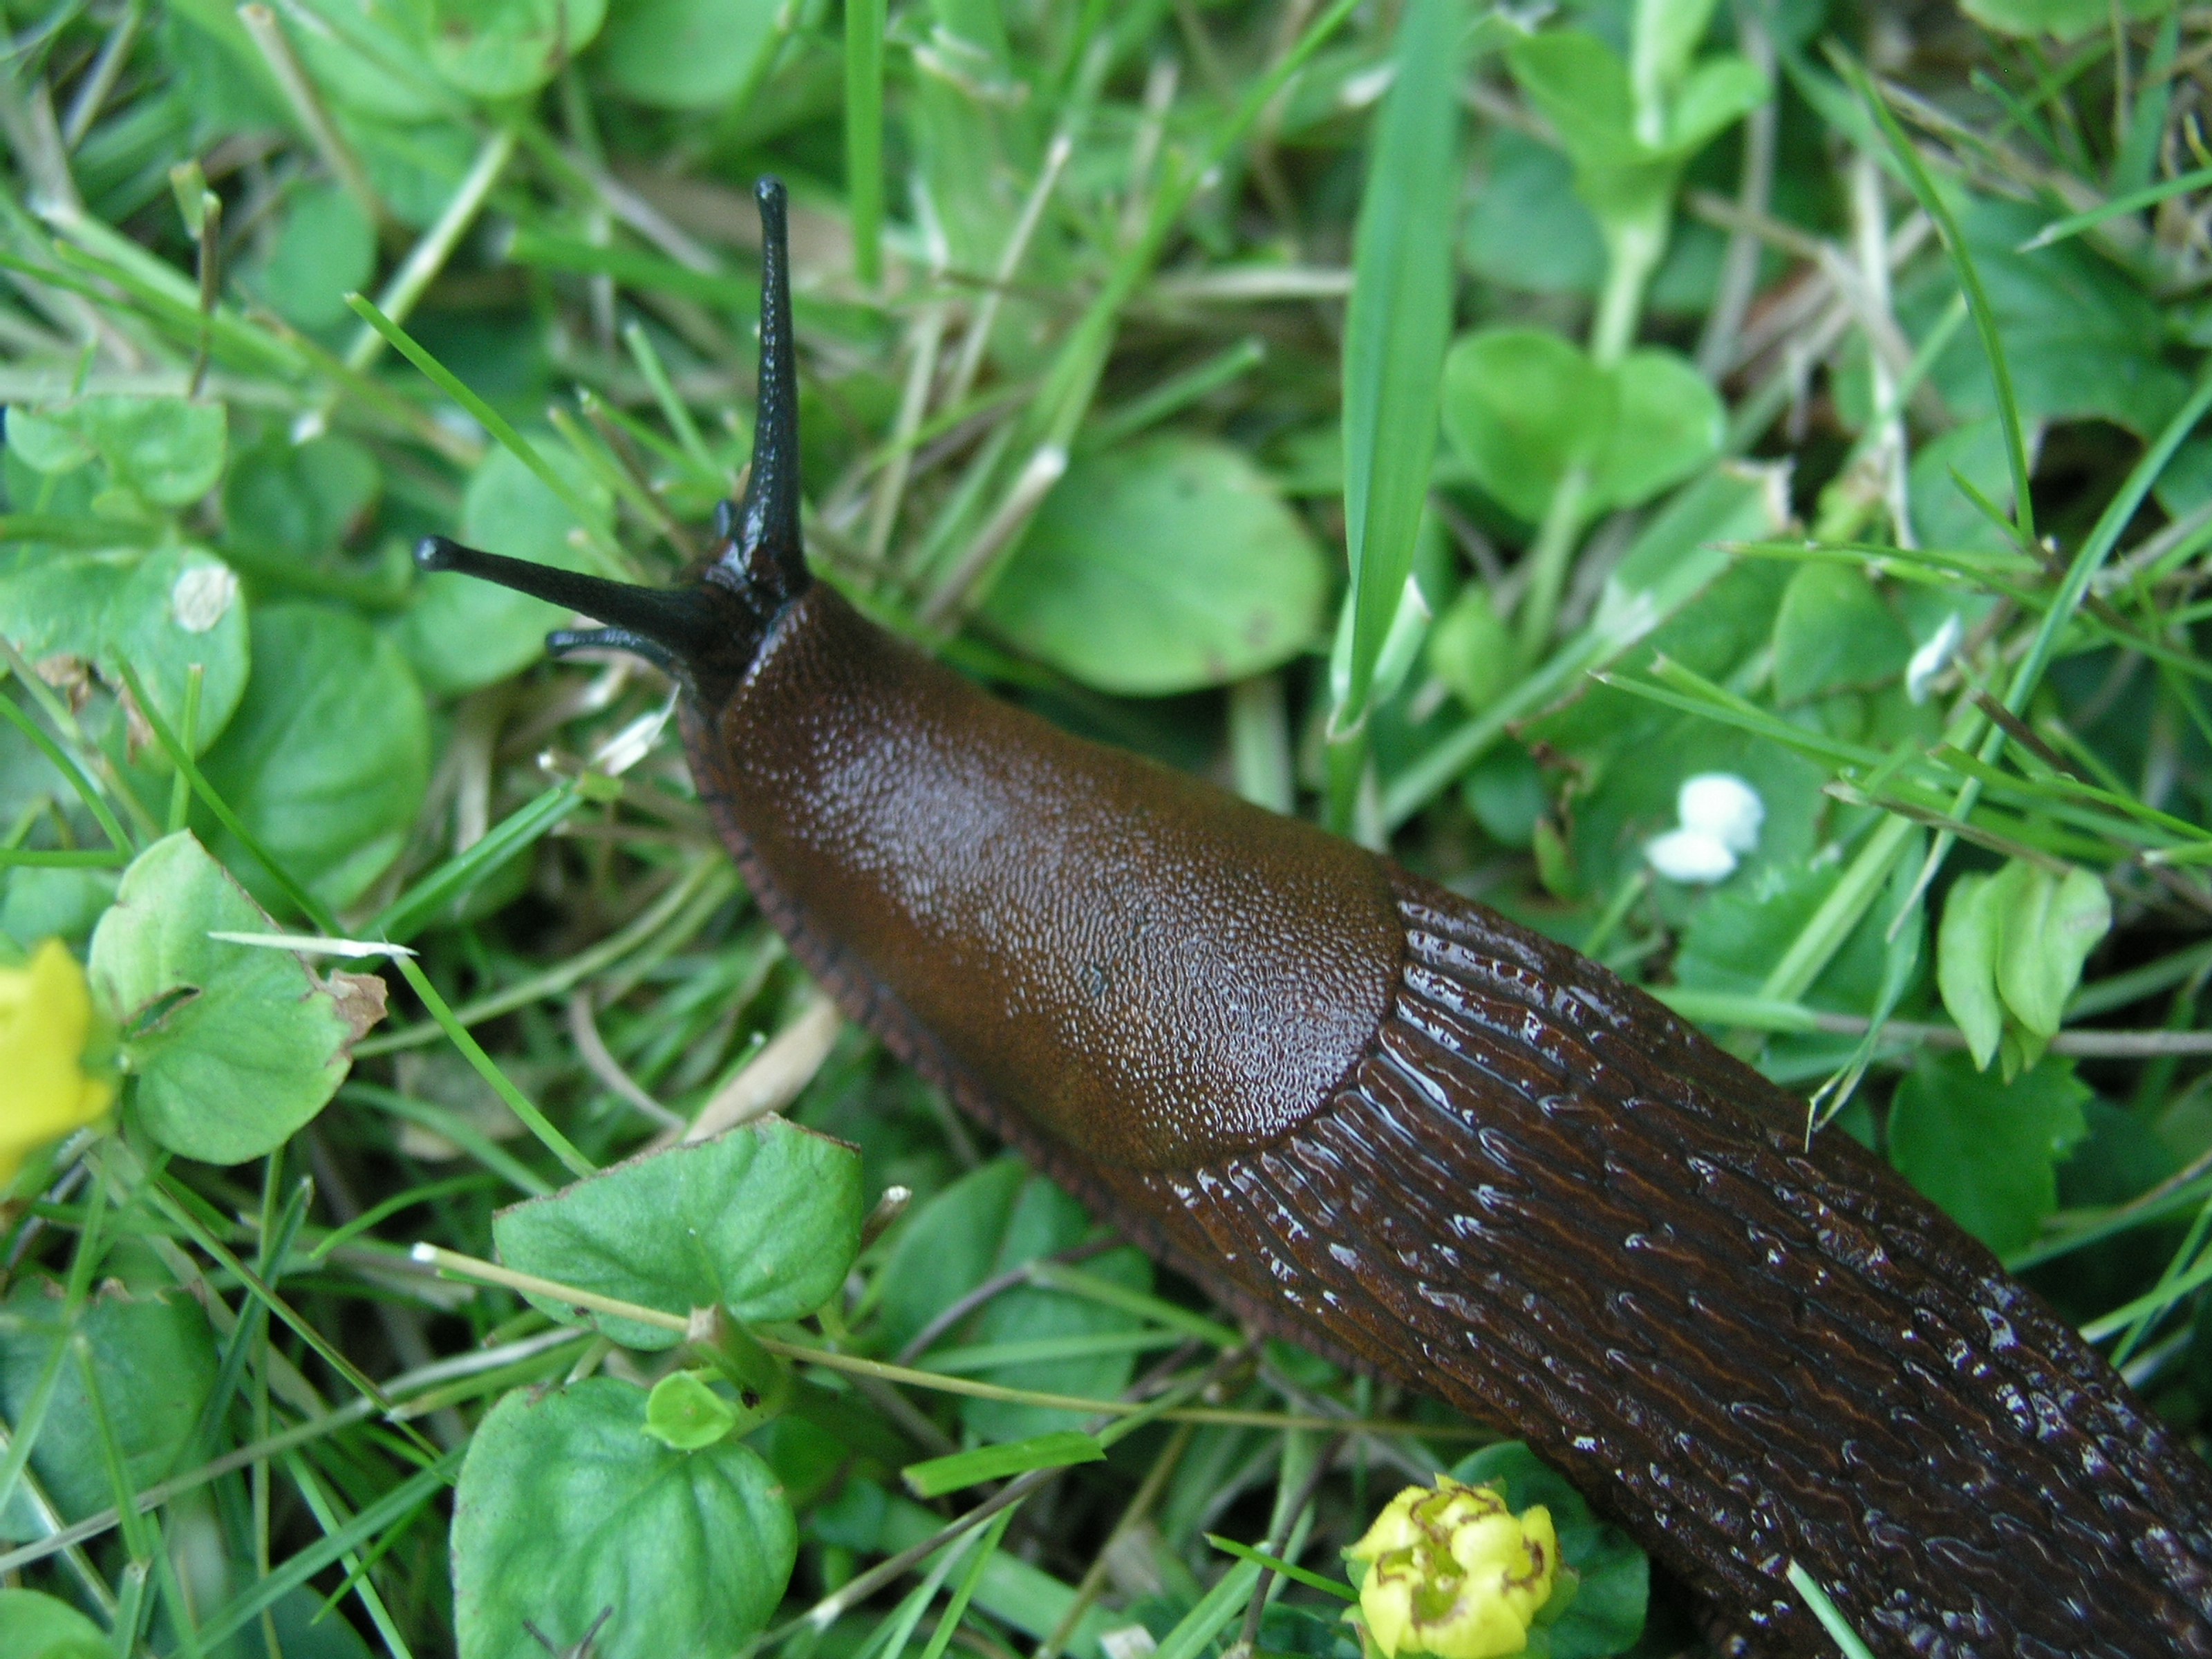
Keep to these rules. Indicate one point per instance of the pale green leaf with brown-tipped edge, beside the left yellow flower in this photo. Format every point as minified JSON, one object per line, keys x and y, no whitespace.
{"x":231,"y":1047}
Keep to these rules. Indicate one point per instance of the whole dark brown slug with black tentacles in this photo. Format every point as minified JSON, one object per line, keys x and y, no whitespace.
{"x":1390,"y":1125}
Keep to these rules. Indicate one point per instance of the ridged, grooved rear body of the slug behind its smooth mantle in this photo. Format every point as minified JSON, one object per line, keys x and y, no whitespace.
{"x":1545,"y":1200}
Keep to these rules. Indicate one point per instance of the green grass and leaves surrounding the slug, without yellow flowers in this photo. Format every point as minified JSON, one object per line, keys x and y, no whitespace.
{"x":1457,"y":430}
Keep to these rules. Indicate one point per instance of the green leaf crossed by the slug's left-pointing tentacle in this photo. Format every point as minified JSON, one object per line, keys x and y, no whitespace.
{"x":466,"y":634}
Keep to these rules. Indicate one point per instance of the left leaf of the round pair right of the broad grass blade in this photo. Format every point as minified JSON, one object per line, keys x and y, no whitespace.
{"x":1523,"y":406}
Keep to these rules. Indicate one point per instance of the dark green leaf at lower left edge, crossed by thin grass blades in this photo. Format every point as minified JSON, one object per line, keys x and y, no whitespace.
{"x":154,"y":1357}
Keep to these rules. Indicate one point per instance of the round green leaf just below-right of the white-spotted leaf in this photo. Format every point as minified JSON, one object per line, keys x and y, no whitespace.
{"x":328,"y":755}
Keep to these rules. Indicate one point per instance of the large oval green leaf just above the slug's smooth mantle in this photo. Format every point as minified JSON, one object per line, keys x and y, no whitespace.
{"x":1162,"y":567}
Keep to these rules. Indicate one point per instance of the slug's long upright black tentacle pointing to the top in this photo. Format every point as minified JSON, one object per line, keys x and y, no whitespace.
{"x":764,"y":547}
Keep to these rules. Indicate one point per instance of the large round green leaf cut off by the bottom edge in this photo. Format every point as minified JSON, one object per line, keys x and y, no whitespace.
{"x":567,"y":1510}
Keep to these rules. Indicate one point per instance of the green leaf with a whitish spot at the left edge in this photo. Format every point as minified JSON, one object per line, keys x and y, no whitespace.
{"x":158,"y":612}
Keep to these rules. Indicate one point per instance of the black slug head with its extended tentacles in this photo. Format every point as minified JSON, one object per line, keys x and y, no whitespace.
{"x":707,"y":632}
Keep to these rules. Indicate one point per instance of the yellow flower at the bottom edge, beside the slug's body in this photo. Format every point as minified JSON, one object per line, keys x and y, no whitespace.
{"x":1454,"y":1572}
